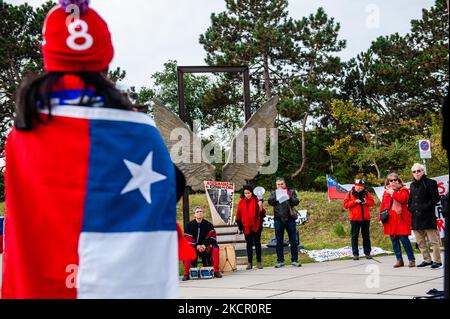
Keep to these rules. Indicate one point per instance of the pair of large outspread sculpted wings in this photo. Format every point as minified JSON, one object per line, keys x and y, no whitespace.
{"x":243,"y":161}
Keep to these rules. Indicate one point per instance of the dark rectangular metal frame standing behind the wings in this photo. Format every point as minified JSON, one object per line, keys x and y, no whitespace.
{"x":181,"y":70}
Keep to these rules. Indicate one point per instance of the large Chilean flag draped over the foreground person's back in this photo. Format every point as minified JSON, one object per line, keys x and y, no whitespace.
{"x":91,"y":208}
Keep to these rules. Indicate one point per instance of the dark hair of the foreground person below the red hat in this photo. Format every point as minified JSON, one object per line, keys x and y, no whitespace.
{"x":36,"y":89}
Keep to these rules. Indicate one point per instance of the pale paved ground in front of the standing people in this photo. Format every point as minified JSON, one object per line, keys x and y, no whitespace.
{"x":335,"y":279}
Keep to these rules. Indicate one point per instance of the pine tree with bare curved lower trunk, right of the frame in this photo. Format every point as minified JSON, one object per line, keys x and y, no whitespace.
{"x":316,"y":71}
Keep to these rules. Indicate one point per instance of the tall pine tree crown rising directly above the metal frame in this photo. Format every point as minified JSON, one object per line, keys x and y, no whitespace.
{"x":257,"y":33}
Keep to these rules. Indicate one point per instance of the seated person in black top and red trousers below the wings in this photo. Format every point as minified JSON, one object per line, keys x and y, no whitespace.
{"x":201,"y":235}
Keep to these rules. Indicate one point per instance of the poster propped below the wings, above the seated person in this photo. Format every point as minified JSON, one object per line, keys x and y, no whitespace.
{"x":220,"y":199}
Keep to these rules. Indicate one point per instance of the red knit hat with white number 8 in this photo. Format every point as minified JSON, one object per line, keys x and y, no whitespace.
{"x":76,"y":44}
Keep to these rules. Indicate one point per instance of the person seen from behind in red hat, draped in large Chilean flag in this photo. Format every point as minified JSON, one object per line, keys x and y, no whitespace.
{"x":91,"y":188}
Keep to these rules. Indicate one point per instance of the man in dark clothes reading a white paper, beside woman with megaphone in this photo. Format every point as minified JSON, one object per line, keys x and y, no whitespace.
{"x":283,"y":220}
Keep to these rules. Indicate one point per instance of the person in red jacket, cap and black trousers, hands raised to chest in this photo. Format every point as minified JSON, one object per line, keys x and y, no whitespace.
{"x":358,"y":201}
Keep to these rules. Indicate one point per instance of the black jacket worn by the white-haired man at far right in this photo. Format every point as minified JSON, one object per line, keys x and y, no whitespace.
{"x":423,"y":197}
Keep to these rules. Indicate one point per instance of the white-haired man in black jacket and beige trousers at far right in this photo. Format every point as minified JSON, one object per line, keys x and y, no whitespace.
{"x":424,"y":196}
